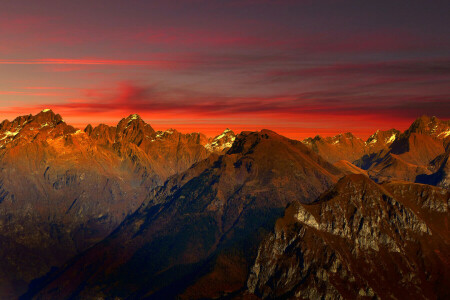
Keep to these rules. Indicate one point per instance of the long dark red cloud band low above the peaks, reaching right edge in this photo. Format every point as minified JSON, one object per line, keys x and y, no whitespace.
{"x":130,"y":97}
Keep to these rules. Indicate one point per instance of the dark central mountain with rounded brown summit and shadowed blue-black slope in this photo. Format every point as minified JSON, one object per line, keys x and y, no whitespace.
{"x":198,"y":235}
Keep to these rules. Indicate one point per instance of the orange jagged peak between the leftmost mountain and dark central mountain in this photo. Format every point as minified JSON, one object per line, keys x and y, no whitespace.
{"x":156,"y":155}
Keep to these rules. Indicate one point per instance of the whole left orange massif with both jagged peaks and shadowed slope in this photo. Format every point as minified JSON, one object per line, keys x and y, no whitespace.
{"x":62,"y":190}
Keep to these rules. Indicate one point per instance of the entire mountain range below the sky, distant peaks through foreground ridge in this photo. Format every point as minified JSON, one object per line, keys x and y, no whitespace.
{"x":126,"y":212}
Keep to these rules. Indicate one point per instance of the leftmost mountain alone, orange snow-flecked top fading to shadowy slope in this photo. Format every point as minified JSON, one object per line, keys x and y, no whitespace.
{"x":60,"y":193}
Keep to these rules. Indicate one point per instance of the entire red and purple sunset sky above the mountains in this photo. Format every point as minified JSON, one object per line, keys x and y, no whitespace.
{"x":300,"y":68}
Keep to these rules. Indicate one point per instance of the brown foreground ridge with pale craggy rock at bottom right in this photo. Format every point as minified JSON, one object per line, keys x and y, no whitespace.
{"x":359,"y":240}
